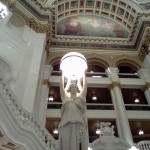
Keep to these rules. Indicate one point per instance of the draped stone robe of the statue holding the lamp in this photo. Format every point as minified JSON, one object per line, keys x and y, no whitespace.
{"x":73,"y":125}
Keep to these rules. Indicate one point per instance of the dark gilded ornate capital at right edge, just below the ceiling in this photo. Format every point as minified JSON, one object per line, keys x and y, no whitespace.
{"x":144,"y":46}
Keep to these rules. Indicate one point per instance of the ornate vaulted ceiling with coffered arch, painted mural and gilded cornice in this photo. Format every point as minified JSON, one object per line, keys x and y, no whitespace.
{"x":96,"y":24}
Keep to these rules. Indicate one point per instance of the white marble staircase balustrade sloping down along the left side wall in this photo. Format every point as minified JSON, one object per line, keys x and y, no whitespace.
{"x":24,"y":119}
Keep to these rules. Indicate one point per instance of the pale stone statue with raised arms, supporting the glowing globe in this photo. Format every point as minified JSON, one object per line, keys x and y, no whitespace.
{"x":73,"y":133}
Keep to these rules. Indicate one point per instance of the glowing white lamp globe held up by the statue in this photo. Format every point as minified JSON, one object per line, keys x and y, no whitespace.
{"x":73,"y":65}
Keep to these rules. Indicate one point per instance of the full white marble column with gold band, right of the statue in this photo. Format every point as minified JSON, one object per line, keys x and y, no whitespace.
{"x":122,"y":120}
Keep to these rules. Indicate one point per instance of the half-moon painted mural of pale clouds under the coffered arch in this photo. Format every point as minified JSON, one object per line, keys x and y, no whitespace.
{"x":94,"y":26}
